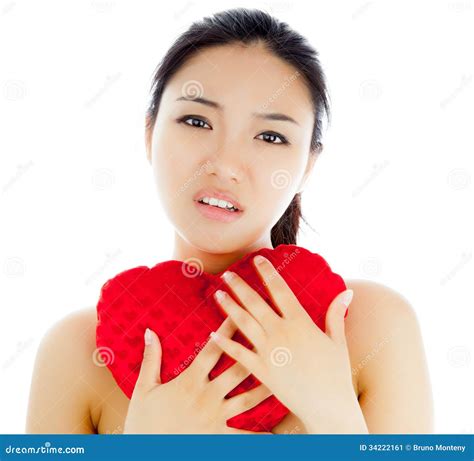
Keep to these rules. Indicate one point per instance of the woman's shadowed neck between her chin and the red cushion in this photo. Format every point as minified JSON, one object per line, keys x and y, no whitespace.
{"x":214,"y":263}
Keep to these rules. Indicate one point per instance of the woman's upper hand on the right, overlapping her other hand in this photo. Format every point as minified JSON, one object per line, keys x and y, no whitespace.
{"x":307,"y":370}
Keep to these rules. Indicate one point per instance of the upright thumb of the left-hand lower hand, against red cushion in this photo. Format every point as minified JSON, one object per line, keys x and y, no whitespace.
{"x":149,"y":375}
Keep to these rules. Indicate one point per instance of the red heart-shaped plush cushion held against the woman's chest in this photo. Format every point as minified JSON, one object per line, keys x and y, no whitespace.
{"x":175,"y":299}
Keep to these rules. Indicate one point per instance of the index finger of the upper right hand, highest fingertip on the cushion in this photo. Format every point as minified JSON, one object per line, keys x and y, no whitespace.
{"x":280,"y":293}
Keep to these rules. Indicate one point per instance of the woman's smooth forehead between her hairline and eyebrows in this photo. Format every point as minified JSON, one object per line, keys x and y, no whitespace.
{"x":243,"y":76}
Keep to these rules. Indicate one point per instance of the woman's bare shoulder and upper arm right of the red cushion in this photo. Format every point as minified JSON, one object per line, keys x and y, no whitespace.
{"x":388,"y":357}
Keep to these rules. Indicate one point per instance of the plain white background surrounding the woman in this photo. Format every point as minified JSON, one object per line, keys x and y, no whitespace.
{"x":391,"y":198}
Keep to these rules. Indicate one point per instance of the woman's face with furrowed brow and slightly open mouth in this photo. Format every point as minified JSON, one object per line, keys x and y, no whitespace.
{"x":233,"y":145}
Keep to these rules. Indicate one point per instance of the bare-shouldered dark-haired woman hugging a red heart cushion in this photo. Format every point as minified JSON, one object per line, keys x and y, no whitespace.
{"x":233,"y":131}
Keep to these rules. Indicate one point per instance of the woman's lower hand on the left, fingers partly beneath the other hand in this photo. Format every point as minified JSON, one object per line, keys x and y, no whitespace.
{"x":189,"y":403}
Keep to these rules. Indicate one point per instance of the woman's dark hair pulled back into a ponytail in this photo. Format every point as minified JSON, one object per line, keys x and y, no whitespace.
{"x":248,"y":26}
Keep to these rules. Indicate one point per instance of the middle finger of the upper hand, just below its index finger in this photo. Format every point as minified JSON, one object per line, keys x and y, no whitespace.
{"x":251,"y":300}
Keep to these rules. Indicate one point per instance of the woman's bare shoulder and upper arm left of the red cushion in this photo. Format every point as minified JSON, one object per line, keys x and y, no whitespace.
{"x":63,"y":389}
